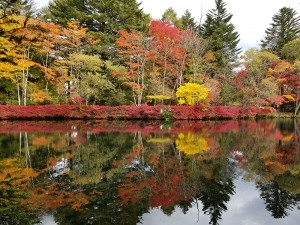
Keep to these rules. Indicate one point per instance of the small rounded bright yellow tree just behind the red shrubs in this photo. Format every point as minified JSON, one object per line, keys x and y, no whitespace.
{"x":191,"y":94}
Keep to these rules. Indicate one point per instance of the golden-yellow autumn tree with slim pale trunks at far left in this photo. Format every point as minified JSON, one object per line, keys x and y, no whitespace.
{"x":17,"y":41}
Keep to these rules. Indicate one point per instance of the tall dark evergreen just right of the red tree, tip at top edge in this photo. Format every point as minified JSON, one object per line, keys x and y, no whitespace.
{"x":222,"y":35}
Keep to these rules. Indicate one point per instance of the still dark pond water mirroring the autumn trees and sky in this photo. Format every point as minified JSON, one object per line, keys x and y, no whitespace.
{"x":128,"y":173}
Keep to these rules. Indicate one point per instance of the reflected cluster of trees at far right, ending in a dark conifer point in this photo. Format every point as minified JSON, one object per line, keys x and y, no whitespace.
{"x":273,"y":161}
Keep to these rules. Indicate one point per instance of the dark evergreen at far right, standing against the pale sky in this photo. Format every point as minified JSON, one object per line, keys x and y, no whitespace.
{"x":284,"y":28}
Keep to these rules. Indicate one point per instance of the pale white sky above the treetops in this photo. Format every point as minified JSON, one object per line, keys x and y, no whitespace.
{"x":250,"y":17}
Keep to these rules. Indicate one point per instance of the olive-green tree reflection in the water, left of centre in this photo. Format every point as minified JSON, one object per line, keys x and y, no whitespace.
{"x":92,"y":161}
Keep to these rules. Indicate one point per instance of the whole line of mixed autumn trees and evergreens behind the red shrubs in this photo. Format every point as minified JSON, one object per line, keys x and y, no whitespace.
{"x":112,"y":53}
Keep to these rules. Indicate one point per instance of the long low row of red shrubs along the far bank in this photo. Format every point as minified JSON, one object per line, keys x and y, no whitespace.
{"x":130,"y":112}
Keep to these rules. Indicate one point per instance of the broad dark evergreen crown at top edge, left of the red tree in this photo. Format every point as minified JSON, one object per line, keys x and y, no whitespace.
{"x":102,"y":18}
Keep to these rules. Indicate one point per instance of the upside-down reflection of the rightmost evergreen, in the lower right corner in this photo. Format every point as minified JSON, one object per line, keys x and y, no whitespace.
{"x":278,"y":201}
